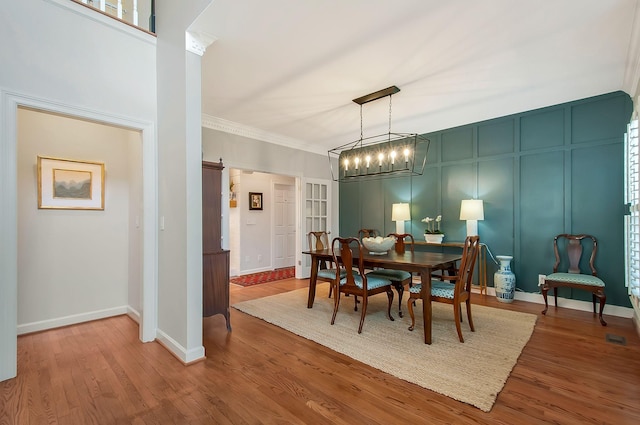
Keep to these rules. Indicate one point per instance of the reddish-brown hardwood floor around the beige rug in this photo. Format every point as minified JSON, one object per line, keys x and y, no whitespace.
{"x":99,"y":373}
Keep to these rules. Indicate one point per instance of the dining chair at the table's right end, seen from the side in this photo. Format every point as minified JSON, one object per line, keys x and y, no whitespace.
{"x":455,"y":293}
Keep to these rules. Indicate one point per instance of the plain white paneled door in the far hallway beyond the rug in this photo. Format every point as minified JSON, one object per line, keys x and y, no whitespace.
{"x":284,"y":238}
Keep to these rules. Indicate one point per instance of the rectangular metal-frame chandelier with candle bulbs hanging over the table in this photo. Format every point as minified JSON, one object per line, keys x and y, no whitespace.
{"x":382,"y":154}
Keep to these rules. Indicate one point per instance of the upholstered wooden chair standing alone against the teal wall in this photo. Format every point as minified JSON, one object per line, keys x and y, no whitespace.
{"x":568,"y":250}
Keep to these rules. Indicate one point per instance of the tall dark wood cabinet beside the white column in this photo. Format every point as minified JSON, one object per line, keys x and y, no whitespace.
{"x":215,"y":260}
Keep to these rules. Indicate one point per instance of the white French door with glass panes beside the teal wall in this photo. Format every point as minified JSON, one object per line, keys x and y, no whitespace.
{"x":316,"y":209}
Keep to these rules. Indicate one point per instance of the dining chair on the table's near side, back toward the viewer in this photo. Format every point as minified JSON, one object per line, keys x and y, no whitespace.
{"x":356,"y":281}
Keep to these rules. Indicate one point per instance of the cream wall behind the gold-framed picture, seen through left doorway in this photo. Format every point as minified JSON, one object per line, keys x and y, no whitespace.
{"x":73,"y":265}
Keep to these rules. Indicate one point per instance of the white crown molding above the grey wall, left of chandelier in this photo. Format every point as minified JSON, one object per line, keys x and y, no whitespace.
{"x":226,"y":126}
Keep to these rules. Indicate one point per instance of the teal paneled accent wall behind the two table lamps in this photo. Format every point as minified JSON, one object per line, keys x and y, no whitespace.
{"x":554,"y":170}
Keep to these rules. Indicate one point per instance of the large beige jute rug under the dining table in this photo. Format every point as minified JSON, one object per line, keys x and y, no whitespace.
{"x":472,"y":372}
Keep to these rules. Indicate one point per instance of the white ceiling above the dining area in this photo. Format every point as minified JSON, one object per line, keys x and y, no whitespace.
{"x":289,"y":69}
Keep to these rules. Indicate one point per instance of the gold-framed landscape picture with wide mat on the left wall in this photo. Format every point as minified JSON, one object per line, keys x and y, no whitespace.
{"x":68,"y":184}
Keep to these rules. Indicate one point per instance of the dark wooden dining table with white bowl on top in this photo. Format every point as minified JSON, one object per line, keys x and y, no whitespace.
{"x":419,"y":261}
